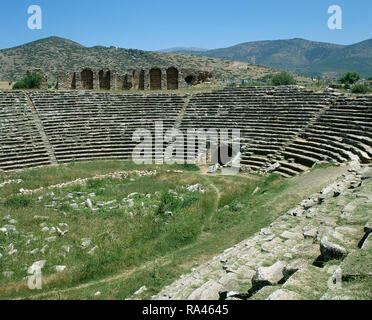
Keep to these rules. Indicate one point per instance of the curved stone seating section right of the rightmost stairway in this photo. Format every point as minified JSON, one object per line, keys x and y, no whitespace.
{"x":342,"y":133}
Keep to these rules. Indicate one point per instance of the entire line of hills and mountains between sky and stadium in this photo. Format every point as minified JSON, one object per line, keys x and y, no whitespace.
{"x":251,"y":60}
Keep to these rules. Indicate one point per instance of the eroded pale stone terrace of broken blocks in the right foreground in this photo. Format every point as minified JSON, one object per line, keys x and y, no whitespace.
{"x":301,"y":255}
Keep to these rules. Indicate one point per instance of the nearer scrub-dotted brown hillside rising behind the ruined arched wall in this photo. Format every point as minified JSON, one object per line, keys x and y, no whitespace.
{"x":54,"y":54}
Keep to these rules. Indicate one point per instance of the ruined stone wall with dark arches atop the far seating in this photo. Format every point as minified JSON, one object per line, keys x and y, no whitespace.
{"x":134,"y":79}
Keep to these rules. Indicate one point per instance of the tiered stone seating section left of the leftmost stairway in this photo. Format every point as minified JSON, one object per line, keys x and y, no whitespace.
{"x":21,"y":144}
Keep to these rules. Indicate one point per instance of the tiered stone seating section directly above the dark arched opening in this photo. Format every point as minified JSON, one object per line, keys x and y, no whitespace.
{"x":268,"y":117}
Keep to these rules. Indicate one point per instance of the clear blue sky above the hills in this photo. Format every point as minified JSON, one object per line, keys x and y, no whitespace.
{"x":154,"y":25}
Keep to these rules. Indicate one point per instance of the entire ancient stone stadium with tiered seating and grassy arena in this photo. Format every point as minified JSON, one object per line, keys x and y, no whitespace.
{"x":80,"y":220}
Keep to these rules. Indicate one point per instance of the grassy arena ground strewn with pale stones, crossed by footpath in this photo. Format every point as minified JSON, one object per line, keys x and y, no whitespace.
{"x":145,"y":239}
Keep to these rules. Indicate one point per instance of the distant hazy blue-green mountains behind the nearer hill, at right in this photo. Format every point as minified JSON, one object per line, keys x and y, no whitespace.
{"x":299,"y":56}
